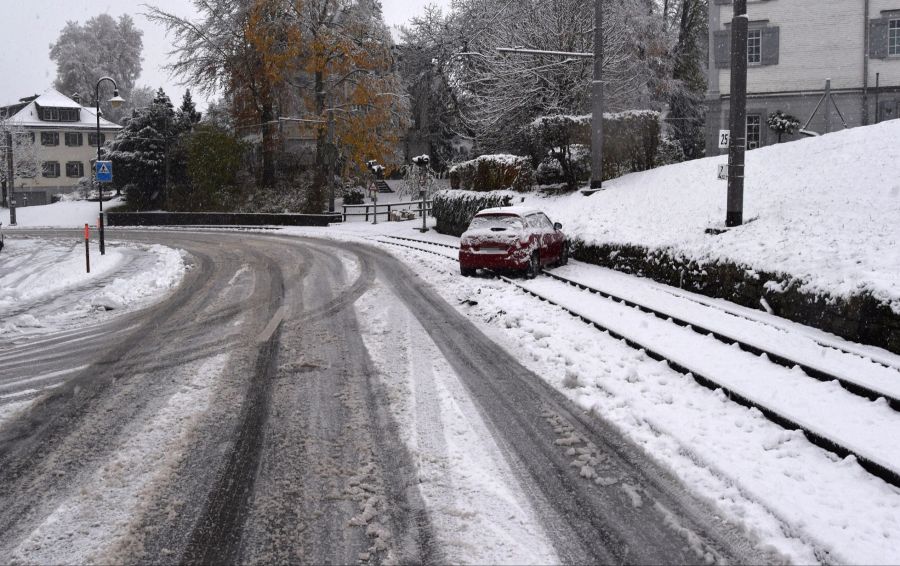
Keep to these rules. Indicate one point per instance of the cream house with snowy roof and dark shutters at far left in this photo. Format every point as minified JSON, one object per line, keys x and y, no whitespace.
{"x":65,"y":137}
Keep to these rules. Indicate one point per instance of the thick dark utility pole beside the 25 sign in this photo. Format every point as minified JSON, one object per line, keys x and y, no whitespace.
{"x":738,"y":115}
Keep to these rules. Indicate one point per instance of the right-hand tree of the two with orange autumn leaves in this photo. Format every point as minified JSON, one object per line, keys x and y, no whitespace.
{"x":344,"y":74}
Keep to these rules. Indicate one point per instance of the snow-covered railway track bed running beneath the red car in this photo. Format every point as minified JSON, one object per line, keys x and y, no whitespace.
{"x":748,"y":366}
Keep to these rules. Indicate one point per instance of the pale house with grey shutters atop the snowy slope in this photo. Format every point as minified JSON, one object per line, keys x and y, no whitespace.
{"x":794,"y":48}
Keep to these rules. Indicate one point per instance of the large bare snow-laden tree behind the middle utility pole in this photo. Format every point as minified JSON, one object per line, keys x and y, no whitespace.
{"x":499,"y":94}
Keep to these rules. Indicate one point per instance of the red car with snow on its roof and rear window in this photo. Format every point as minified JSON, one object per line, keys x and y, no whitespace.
{"x":512,"y":239}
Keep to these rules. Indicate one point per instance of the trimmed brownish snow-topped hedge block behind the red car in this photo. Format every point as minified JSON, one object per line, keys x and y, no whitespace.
{"x":493,"y":173}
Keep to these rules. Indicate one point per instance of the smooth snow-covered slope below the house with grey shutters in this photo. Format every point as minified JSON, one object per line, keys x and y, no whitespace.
{"x":823,"y":210}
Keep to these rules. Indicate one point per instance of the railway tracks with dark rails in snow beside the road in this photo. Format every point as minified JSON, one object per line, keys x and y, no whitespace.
{"x":855,"y":393}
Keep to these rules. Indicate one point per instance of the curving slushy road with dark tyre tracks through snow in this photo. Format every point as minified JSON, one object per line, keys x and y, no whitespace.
{"x":309,"y":400}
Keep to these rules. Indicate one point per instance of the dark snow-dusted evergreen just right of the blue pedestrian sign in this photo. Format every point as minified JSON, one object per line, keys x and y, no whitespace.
{"x":140,"y":151}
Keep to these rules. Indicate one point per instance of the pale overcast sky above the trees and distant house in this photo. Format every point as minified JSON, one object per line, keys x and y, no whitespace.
{"x":28,"y":27}
